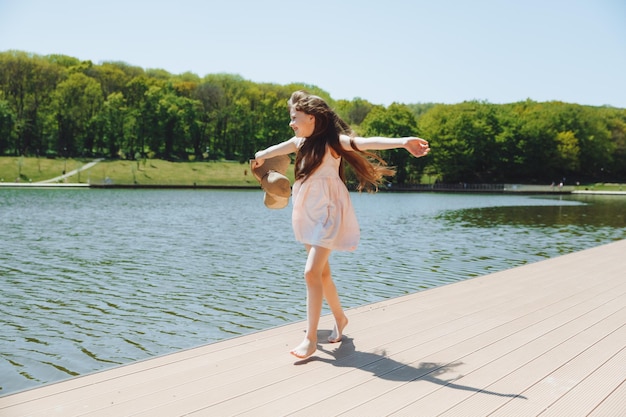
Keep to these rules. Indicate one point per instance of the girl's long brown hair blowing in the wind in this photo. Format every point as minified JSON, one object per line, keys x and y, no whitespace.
{"x":368,"y":167}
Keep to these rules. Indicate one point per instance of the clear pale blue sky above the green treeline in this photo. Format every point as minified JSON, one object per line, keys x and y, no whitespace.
{"x":408,"y":51}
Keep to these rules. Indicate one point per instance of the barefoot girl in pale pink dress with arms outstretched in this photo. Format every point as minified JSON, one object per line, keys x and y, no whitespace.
{"x":323,"y":217}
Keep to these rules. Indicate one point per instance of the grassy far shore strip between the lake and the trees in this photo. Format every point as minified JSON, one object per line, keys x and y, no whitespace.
{"x":30,"y":172}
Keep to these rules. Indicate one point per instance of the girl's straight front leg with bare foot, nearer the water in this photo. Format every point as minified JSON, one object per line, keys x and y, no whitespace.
{"x":316,"y":261}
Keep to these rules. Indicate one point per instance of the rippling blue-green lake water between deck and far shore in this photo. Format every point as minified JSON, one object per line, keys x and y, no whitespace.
{"x":91,"y":279}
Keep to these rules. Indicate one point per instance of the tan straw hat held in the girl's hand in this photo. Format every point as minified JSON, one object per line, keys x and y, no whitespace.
{"x":271,"y":176}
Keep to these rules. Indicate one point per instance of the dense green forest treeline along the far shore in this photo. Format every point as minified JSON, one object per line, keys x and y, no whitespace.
{"x":59,"y":106}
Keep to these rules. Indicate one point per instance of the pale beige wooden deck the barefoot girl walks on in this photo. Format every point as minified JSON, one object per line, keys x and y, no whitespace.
{"x":544,"y":339}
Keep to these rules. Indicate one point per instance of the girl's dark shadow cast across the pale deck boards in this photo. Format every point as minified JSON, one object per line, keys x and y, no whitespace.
{"x":381,"y":366}
